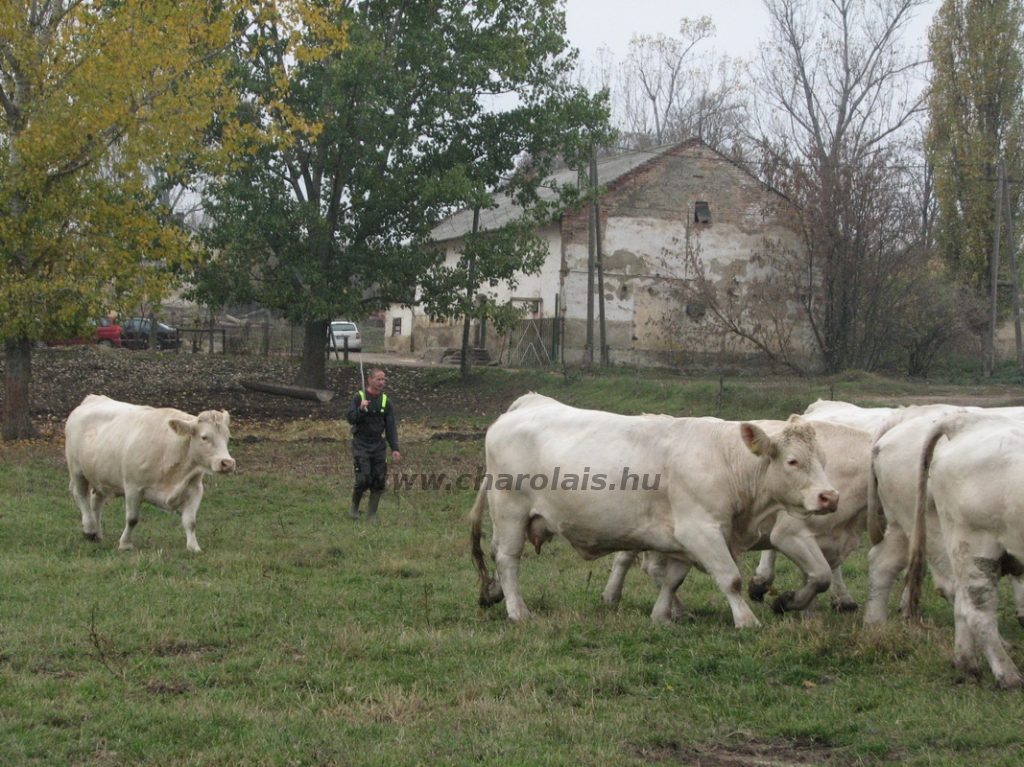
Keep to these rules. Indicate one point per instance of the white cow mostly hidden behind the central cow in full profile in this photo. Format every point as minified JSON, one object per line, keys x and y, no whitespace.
{"x":819,"y":545}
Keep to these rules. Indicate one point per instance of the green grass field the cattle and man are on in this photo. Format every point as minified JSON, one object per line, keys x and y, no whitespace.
{"x":300,"y":637}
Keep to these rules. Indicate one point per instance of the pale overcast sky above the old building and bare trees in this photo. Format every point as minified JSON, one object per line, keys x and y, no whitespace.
{"x":740,"y":24}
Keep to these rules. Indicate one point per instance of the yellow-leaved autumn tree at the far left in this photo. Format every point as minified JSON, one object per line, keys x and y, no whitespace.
{"x":95,"y":95}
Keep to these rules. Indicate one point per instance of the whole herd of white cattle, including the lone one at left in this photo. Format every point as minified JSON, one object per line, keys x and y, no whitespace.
{"x":935,"y":486}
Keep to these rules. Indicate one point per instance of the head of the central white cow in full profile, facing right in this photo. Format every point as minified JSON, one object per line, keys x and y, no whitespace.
{"x":794,"y":466}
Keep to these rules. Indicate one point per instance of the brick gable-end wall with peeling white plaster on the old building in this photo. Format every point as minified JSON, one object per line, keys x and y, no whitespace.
{"x":648,"y":225}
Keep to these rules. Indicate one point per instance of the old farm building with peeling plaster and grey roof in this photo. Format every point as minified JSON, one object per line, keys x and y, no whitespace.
{"x":666,"y":215}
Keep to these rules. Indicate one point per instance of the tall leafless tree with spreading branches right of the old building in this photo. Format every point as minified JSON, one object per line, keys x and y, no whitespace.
{"x":839,"y":99}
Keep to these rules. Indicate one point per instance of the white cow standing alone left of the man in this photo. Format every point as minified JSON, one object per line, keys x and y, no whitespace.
{"x":157,"y":455}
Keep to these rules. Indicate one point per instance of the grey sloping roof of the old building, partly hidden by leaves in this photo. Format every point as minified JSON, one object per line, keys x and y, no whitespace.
{"x":609,"y":171}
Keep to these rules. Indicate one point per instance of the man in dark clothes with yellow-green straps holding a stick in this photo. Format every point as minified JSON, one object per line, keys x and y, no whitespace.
{"x":374,"y":430}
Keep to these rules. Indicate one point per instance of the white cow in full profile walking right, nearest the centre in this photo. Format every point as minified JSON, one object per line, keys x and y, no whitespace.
{"x":706,"y":487}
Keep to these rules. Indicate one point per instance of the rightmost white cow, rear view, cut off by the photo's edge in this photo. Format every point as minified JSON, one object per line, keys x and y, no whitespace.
{"x":974,"y":483}
